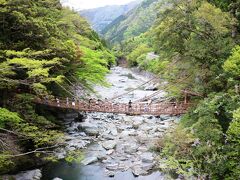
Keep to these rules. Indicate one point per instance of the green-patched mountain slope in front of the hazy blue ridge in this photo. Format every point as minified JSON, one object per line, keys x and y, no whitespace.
{"x":132,"y":24}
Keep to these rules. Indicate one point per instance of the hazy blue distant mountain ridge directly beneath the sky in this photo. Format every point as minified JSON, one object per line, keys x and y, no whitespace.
{"x":101,"y":17}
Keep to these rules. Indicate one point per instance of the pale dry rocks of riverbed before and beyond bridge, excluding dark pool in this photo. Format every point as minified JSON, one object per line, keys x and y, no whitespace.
{"x":121,"y":142}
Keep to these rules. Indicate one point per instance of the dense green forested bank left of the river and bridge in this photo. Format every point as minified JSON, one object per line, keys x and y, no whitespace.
{"x":43,"y":46}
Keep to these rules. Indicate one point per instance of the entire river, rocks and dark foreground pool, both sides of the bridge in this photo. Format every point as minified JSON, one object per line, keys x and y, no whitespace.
{"x":115,"y":145}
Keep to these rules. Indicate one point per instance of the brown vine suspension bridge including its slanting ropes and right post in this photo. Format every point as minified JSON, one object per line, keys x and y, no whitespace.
{"x":139,"y":107}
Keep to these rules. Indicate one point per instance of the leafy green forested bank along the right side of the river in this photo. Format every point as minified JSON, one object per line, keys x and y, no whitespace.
{"x":198,"y":46}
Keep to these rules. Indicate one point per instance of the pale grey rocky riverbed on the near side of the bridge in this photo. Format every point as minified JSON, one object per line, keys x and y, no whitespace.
{"x":121,"y":142}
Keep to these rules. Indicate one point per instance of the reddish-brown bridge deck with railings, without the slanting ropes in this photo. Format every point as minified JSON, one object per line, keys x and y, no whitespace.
{"x":164,"y":108}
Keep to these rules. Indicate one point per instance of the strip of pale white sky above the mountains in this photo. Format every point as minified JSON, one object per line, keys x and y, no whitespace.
{"x":89,"y":4}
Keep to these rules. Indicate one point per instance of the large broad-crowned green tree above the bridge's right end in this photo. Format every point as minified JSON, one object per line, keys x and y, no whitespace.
{"x":196,"y":37}
